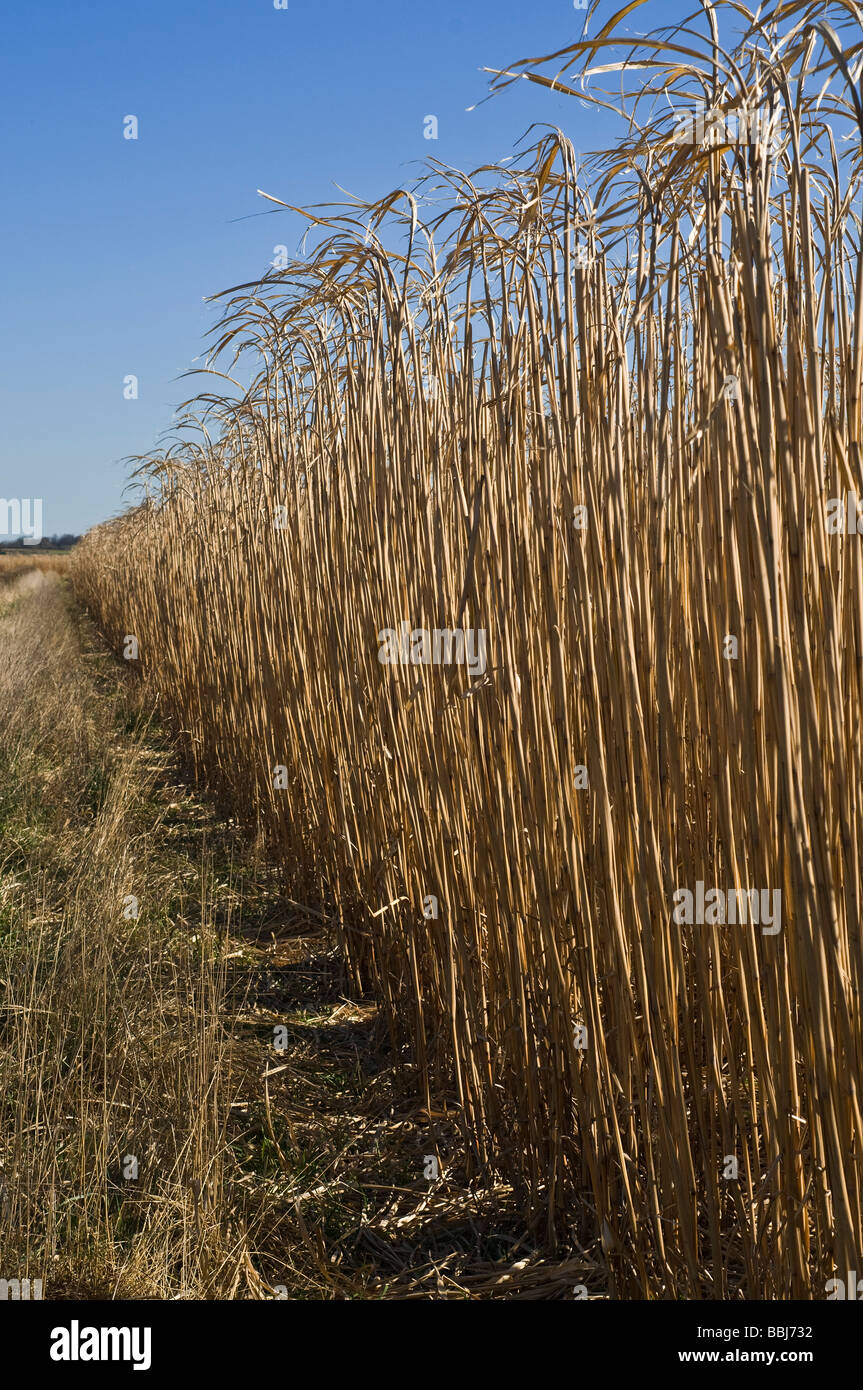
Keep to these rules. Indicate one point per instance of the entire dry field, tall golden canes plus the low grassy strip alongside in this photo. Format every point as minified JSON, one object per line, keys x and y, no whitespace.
{"x":451,"y":879}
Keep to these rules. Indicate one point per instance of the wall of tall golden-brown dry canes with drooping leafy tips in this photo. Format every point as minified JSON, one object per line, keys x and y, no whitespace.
{"x":430,"y":404}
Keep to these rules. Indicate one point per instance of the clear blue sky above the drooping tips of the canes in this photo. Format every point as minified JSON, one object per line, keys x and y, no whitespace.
{"x":110,"y":245}
